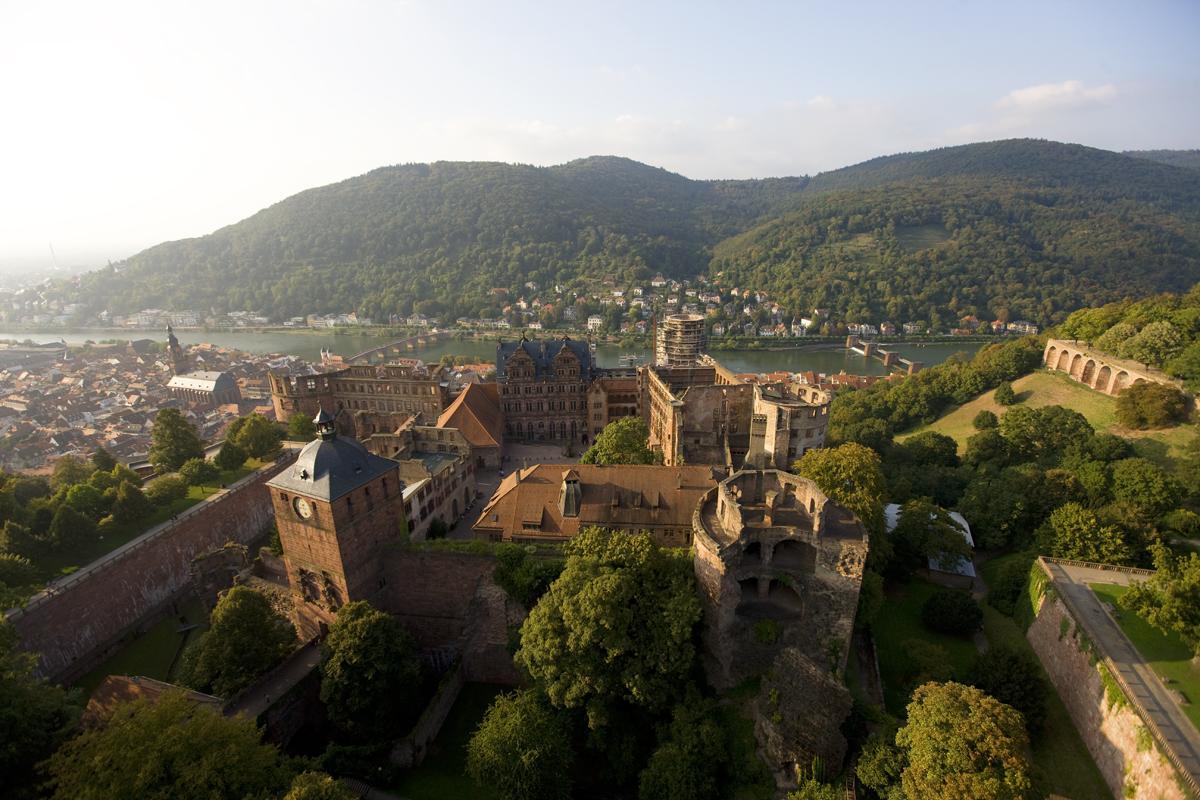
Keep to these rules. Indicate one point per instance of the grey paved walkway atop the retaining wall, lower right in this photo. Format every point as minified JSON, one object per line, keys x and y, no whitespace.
{"x":1153,"y":697}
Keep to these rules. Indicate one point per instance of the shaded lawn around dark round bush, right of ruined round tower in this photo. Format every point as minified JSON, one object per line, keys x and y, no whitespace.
{"x":899,"y":622}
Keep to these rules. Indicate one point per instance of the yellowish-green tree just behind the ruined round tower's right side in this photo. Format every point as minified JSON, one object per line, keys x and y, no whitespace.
{"x":853,"y":477}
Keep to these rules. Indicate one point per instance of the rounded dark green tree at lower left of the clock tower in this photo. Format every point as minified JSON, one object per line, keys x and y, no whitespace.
{"x":247,"y":637}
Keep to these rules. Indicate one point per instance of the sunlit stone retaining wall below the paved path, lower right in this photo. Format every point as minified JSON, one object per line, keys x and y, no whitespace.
{"x":1120,"y":744}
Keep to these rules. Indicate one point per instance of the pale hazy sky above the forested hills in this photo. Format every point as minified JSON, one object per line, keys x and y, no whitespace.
{"x":125,"y":124}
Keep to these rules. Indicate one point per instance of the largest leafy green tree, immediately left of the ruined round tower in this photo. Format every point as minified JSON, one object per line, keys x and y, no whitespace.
{"x":616,"y":628}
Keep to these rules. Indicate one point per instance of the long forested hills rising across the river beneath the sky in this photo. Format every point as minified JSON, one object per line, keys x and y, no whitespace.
{"x":1029,"y":228}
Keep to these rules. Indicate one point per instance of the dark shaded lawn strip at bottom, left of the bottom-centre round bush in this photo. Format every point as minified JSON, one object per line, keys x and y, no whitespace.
{"x":443,"y":775}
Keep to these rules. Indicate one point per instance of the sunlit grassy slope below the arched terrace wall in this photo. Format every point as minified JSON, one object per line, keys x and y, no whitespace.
{"x":1043,"y":388}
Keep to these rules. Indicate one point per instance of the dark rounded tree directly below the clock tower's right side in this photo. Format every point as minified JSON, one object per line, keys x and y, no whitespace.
{"x":371,"y":677}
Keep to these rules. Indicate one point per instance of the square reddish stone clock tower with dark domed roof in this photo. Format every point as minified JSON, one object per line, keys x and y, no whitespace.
{"x":335,"y":508}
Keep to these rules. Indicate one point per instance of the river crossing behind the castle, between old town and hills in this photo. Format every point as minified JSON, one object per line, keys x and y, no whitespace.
{"x":309,"y":345}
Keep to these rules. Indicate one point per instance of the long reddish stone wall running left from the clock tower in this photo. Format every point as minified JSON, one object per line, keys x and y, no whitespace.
{"x":77,"y":622}
